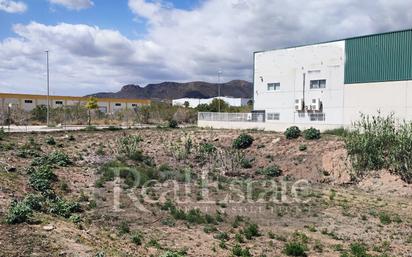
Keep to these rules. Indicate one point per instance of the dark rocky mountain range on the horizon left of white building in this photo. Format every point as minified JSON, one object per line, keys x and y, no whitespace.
{"x":175,"y":90}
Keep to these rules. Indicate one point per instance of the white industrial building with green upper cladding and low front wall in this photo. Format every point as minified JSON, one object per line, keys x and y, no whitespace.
{"x":328,"y":85}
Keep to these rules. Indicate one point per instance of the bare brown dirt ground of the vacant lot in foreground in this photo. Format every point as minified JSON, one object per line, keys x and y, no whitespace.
{"x":313,"y":199}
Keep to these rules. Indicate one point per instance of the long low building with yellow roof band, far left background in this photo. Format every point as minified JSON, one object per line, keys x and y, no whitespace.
{"x":29,"y":102}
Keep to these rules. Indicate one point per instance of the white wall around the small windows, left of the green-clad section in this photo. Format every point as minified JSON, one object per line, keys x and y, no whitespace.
{"x":294,"y":68}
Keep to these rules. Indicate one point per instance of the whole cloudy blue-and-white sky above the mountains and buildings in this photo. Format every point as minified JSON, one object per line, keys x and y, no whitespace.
{"x":101,"y":45}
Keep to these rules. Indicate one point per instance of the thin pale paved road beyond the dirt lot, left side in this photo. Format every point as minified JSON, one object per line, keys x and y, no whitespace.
{"x":25,"y":129}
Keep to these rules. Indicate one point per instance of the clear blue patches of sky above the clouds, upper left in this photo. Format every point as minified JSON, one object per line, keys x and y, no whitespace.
{"x":107,"y":14}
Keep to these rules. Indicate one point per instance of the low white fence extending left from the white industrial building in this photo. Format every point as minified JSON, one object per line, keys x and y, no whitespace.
{"x":231,"y":117}
